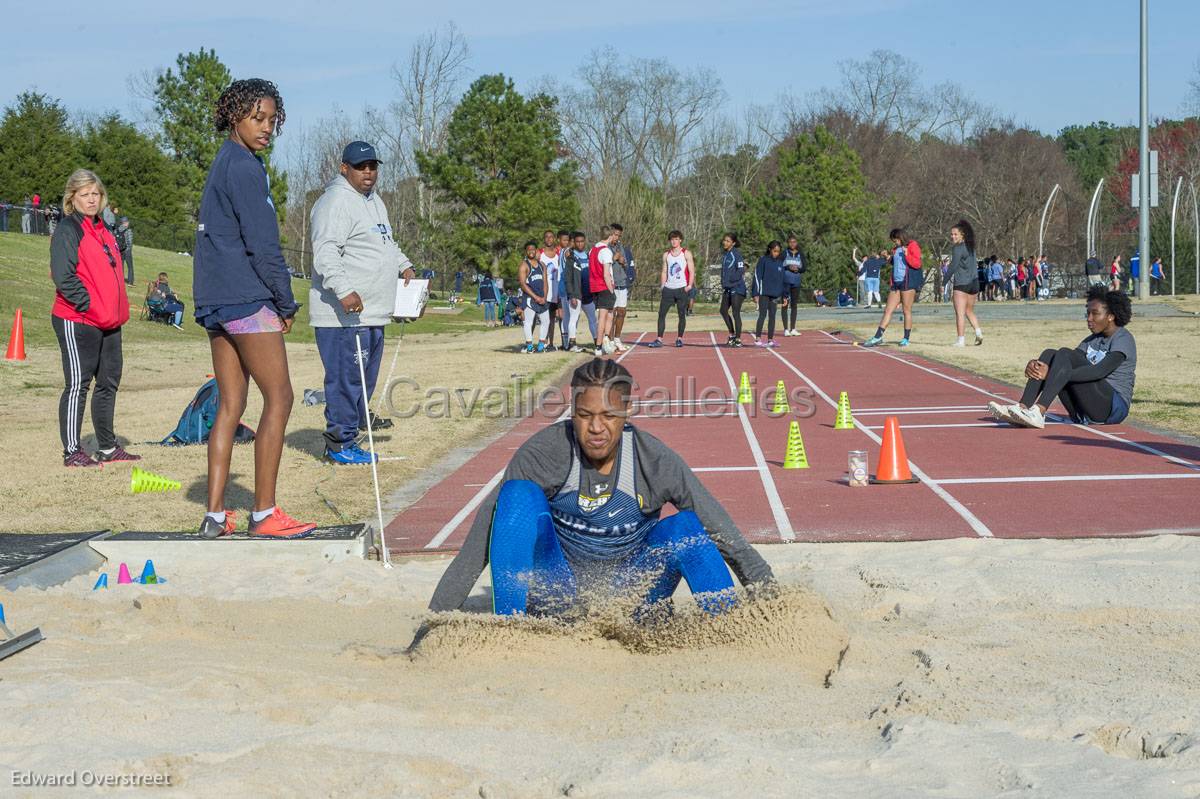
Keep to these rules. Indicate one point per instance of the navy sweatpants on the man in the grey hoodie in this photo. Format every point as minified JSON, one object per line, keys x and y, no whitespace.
{"x":344,"y":387}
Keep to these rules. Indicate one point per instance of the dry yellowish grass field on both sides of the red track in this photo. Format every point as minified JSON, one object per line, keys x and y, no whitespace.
{"x":165,"y":367}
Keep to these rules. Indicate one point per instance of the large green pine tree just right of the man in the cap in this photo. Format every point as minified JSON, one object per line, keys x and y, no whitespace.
{"x":500,"y":181}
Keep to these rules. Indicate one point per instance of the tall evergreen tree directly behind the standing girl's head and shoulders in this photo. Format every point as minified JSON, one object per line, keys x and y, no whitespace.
{"x":185,"y":99}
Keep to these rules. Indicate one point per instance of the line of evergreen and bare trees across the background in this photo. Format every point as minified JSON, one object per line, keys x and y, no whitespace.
{"x":475,"y":169}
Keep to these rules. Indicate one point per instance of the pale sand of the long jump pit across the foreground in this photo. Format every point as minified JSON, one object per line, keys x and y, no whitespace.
{"x":975,"y":669}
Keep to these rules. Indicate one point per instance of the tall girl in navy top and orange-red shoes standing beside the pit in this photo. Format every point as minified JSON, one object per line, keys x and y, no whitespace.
{"x":244,"y":301}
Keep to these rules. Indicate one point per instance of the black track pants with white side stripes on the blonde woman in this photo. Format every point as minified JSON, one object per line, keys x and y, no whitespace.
{"x":88,"y":355}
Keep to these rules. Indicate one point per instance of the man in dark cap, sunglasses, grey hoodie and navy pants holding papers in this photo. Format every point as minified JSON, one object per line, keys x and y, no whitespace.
{"x":355,"y":269}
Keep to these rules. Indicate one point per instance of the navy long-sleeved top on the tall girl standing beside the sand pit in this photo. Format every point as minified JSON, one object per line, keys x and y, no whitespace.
{"x":238,"y":260}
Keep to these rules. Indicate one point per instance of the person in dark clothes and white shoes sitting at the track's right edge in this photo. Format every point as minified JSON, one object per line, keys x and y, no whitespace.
{"x":1095,"y":381}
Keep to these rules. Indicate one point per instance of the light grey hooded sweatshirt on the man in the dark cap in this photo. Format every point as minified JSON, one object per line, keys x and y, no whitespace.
{"x":352,"y":251}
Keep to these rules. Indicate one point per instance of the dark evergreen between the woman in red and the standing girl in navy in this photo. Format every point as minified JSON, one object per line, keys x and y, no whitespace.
{"x":141,"y":179}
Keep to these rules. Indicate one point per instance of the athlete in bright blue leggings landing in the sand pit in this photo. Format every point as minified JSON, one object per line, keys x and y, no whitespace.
{"x":578,"y":515}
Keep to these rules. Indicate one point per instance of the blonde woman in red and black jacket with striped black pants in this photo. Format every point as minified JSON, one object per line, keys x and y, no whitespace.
{"x":91,"y":307}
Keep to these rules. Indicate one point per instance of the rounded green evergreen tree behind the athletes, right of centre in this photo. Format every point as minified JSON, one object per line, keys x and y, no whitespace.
{"x":817,"y":193}
